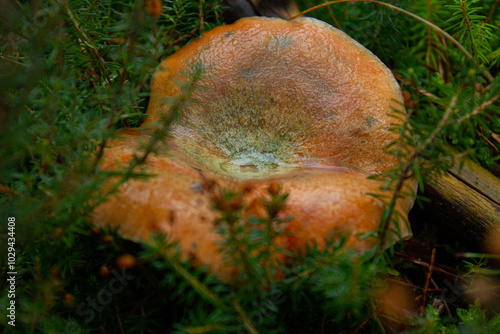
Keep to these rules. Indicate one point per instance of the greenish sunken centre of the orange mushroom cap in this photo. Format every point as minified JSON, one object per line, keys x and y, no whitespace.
{"x":247,"y":133}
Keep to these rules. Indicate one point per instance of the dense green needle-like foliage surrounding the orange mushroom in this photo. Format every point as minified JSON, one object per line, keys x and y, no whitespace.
{"x":73,"y":73}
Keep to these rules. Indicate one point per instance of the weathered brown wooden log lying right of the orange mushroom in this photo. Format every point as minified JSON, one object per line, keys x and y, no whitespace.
{"x":464,"y":205}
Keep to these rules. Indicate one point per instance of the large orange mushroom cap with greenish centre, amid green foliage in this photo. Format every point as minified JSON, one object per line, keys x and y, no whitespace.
{"x":296,"y":102}
